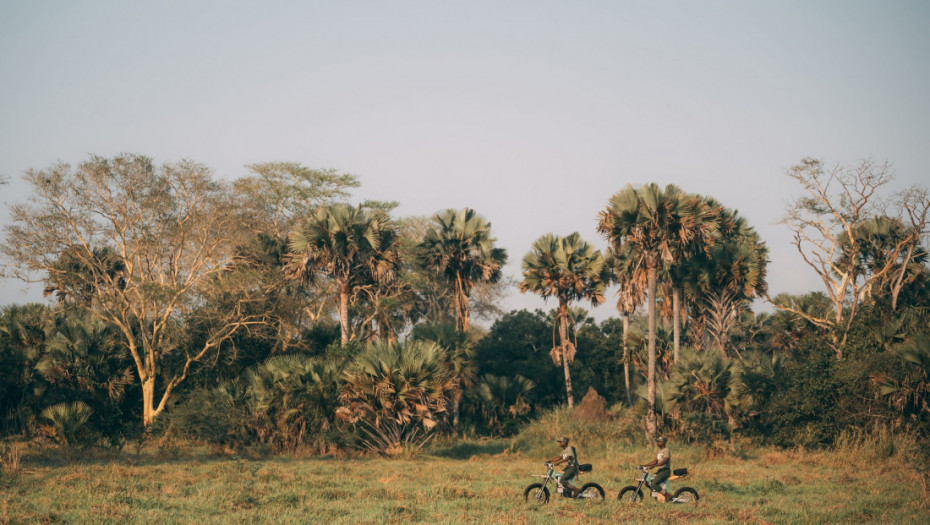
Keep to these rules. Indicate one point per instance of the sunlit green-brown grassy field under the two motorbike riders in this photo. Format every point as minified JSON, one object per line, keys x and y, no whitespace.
{"x":467,"y":482}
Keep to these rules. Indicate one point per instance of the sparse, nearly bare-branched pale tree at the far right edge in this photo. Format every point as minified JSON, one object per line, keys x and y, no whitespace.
{"x":829,"y":223}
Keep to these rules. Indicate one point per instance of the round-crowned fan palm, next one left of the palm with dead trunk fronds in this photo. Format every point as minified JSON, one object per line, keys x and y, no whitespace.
{"x":460,"y":248}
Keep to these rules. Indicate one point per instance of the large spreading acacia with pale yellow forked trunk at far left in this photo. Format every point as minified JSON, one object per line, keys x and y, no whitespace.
{"x":172,"y":233}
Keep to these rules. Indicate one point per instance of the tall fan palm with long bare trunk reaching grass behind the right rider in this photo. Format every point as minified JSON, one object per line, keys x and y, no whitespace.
{"x":654,"y":221}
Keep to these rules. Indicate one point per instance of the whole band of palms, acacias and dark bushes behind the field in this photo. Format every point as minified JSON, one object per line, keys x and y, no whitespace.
{"x":270,"y":310}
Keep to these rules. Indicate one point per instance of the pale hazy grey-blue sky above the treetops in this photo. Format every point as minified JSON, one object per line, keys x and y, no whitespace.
{"x":531,"y":112}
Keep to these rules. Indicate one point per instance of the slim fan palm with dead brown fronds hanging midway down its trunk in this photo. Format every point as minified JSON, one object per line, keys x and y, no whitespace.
{"x":569,"y":269}
